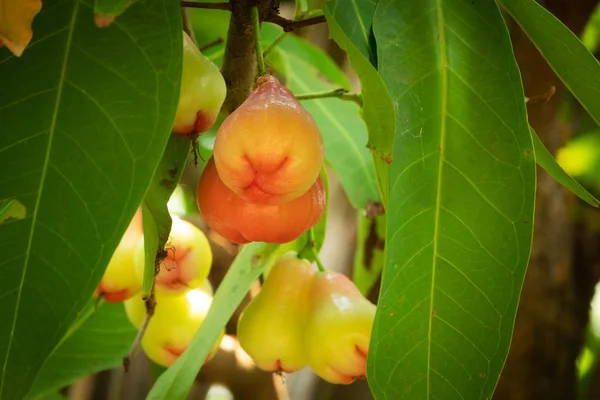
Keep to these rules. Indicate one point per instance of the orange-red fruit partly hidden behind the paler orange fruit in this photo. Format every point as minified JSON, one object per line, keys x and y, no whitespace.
{"x":242,"y":222}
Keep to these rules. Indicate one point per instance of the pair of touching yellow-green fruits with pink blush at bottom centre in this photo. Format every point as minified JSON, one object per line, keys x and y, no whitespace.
{"x":306,"y":317}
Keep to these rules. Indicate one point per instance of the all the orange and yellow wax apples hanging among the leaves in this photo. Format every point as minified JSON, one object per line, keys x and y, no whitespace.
{"x":262,"y":184}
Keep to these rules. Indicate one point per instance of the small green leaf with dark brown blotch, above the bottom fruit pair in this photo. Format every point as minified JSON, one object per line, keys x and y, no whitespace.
{"x":369,"y":256}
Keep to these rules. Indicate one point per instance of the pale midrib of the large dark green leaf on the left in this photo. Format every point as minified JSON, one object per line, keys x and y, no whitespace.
{"x":41,"y":187}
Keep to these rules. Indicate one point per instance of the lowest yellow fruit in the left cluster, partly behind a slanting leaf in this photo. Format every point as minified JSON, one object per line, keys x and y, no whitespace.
{"x":176,"y":319}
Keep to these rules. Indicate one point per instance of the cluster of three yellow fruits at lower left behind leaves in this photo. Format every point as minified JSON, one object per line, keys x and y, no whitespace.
{"x":183,"y":294}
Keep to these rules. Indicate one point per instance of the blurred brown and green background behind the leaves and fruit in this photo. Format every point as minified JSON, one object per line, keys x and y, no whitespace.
{"x":555,"y":352}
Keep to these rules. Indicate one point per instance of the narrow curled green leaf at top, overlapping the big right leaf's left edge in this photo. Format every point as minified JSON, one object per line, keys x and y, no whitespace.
{"x":350,"y":27}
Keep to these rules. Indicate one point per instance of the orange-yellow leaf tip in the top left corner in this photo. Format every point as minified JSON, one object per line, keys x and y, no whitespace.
{"x":15,"y":23}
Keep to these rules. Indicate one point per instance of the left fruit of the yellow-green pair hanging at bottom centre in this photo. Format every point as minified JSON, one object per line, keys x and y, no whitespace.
{"x":271,"y":327}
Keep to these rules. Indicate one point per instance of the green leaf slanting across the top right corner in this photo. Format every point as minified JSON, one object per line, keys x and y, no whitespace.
{"x":573,"y":63}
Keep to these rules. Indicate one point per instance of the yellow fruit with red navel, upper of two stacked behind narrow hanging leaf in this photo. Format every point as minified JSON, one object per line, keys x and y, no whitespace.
{"x":188,"y":261}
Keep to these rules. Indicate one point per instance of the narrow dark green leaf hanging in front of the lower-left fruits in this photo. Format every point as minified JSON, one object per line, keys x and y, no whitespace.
{"x":155,"y":213}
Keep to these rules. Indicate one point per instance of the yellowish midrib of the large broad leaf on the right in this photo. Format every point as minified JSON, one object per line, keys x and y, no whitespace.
{"x":444,"y":105}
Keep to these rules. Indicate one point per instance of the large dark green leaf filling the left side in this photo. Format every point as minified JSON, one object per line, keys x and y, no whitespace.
{"x":85,"y":115}
